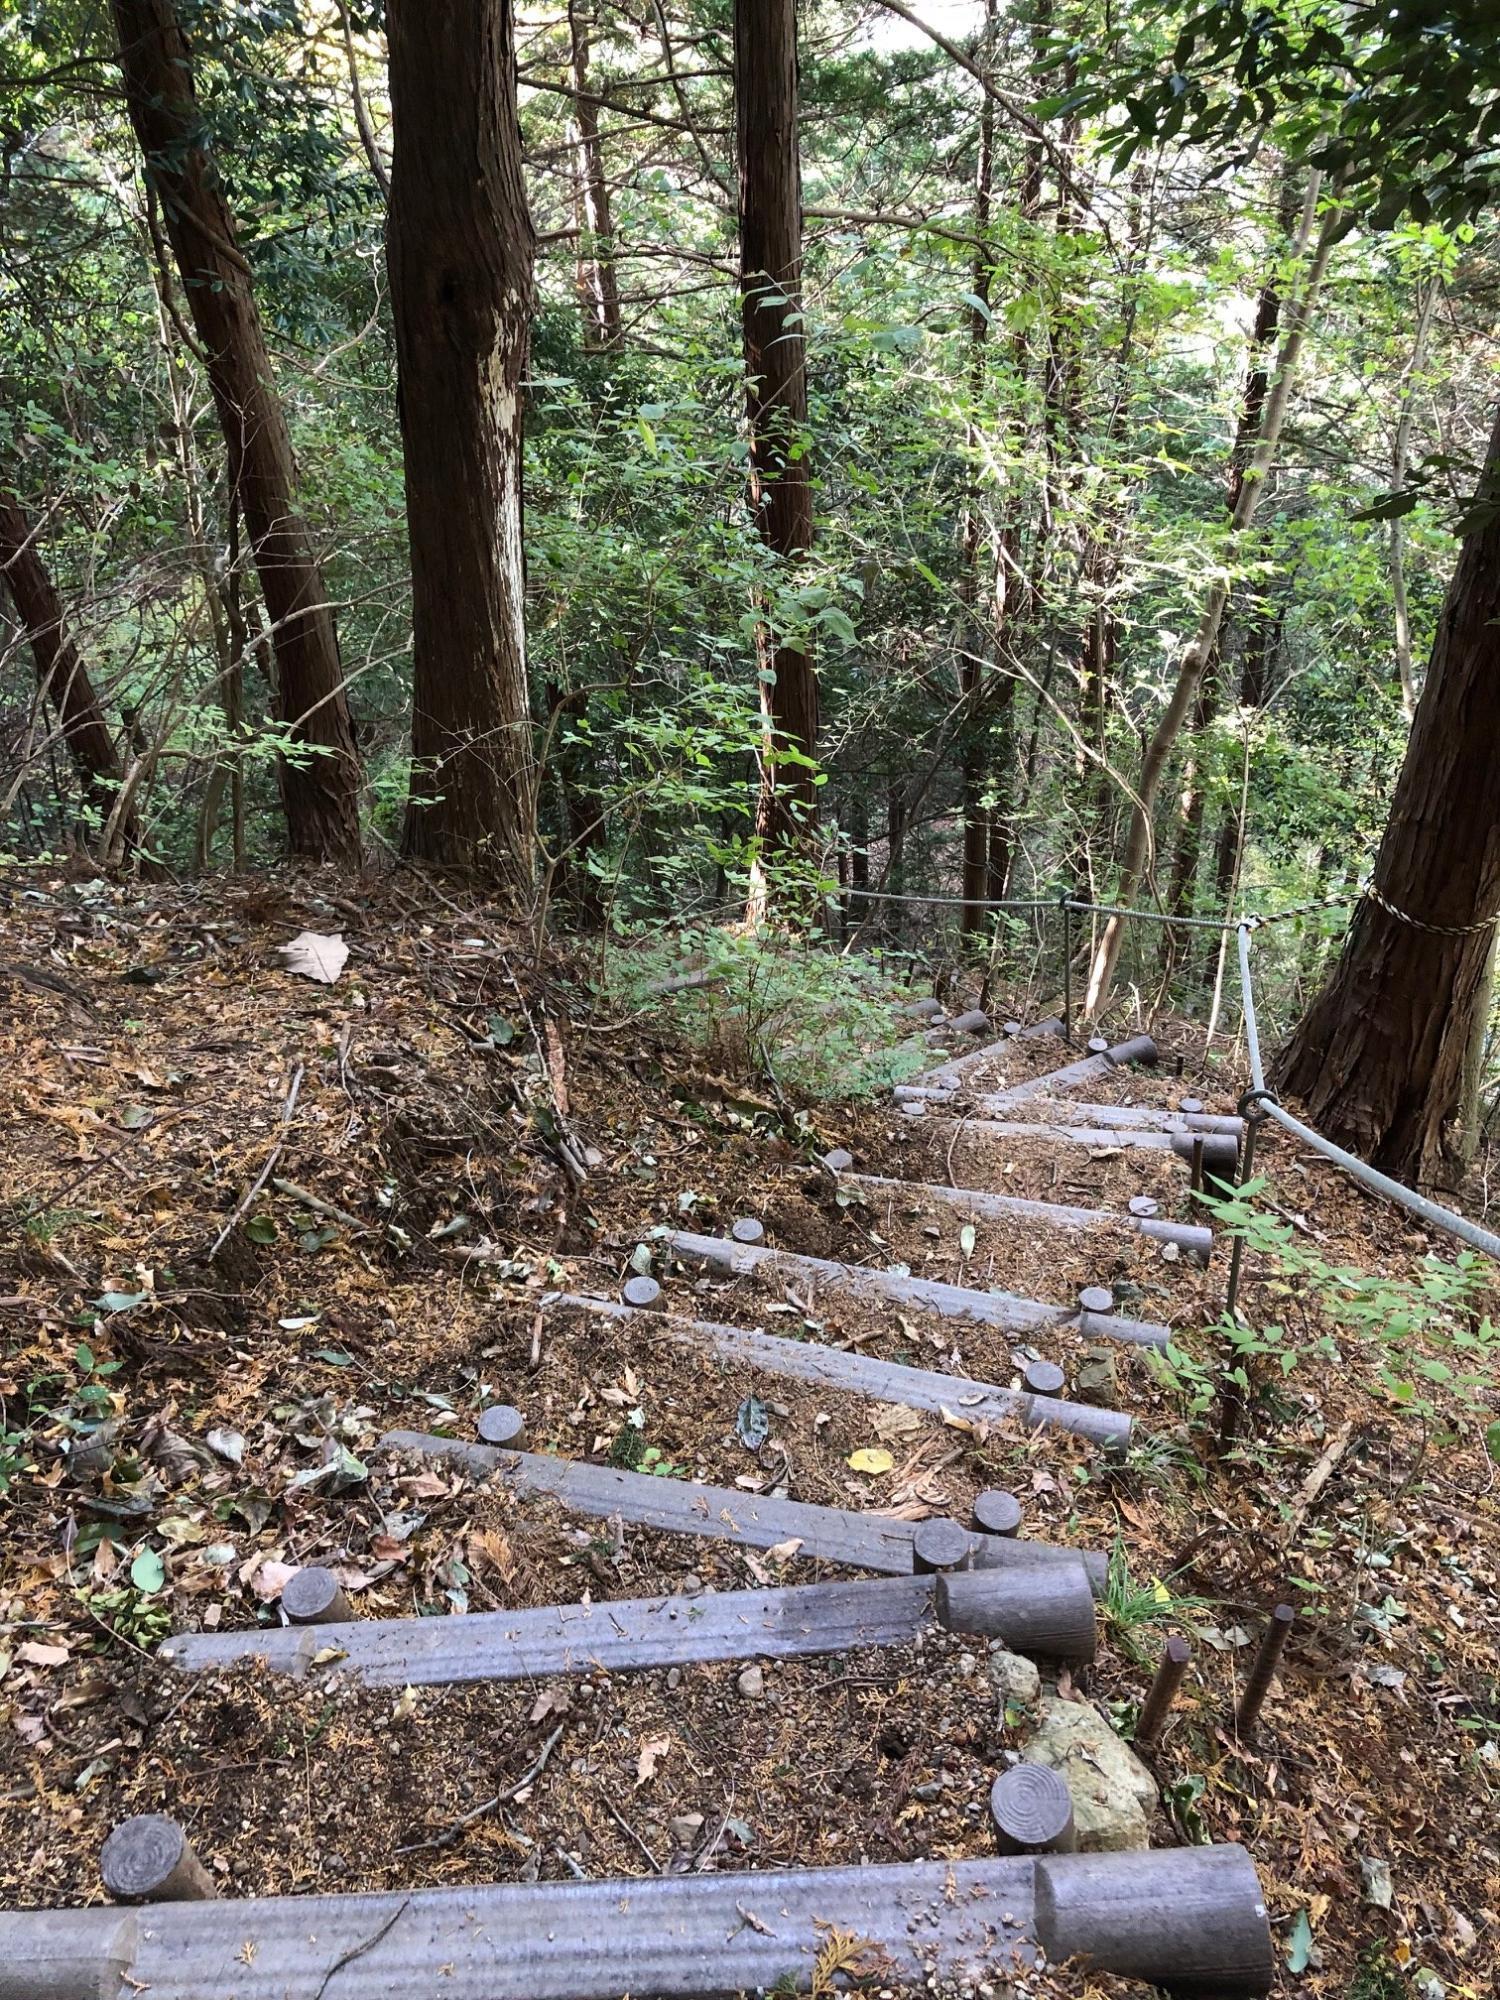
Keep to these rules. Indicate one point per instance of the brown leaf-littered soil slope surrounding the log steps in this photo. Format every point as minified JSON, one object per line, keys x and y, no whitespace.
{"x":183,"y":1419}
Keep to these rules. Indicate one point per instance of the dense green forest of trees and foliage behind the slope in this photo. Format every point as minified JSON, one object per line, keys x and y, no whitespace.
{"x":1139,"y":391}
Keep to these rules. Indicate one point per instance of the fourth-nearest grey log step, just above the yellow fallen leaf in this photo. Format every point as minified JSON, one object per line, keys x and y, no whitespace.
{"x":863,"y":1375}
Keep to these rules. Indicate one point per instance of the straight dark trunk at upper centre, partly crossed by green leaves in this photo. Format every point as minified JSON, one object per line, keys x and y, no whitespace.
{"x":777,"y":391}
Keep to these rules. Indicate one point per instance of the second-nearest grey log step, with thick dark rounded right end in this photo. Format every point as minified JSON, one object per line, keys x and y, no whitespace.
{"x":1045,"y":1611}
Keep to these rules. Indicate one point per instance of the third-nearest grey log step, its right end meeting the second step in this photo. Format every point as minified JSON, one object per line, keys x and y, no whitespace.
{"x":721,"y":1513}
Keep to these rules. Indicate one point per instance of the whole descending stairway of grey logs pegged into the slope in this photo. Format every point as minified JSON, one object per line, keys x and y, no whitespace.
{"x":1187,"y":1921}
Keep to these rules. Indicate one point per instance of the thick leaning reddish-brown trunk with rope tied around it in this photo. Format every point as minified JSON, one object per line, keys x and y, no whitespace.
{"x":1381,"y":1057}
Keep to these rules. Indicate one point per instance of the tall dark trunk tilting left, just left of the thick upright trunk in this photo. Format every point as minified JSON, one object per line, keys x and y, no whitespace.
{"x":321,"y":791}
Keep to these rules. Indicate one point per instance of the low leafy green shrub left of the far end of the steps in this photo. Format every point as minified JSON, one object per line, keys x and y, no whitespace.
{"x":789,"y":1011}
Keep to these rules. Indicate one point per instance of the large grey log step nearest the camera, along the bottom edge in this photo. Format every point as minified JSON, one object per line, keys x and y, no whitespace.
{"x":1187,"y":1919}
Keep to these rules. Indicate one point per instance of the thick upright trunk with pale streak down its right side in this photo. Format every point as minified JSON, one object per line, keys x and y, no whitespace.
{"x":461,"y":289}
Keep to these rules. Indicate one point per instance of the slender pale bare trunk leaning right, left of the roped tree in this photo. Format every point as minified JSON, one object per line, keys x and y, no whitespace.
{"x":1201,"y":649}
